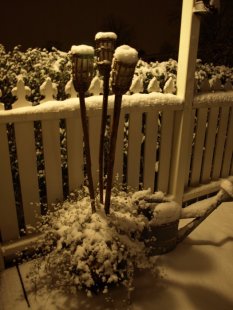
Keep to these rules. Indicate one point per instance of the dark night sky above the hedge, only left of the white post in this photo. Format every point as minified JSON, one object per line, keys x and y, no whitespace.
{"x":35,"y":23}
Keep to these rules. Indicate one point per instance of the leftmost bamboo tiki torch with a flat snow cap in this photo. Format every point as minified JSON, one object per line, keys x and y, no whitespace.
{"x":82,"y":73}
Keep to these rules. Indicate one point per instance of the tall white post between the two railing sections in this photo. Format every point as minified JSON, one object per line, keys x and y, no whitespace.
{"x":189,"y":37}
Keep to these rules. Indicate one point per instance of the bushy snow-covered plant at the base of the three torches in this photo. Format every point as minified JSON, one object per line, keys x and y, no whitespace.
{"x":91,"y":251}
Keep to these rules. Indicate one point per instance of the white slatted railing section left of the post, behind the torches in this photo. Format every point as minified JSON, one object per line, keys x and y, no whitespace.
{"x":143,"y":113}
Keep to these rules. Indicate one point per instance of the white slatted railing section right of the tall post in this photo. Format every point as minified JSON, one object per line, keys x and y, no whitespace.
{"x":210,"y":144}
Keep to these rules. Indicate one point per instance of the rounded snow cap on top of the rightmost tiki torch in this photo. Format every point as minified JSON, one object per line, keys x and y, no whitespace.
{"x":126,"y":54}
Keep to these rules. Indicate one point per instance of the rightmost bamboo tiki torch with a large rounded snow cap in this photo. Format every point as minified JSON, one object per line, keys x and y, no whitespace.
{"x":123,"y":66}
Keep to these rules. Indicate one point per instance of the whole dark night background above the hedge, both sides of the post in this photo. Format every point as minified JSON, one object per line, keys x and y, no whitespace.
{"x":152,"y":26}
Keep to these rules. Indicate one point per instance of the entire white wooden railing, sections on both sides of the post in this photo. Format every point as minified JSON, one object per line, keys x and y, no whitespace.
{"x":145,"y":148}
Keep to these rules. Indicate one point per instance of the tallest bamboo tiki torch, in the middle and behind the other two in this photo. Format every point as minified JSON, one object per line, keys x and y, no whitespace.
{"x":104,"y":48}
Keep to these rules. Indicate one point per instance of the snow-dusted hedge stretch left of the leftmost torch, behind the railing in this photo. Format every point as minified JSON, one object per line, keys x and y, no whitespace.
{"x":34,"y":65}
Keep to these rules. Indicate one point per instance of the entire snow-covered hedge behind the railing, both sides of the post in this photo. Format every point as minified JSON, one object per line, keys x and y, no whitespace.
{"x":35,"y":65}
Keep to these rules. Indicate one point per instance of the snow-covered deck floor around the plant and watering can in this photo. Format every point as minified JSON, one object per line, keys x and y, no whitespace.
{"x":198,"y":274}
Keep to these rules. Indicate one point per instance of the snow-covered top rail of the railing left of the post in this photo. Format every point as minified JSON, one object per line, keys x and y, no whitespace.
{"x":65,"y":109}
